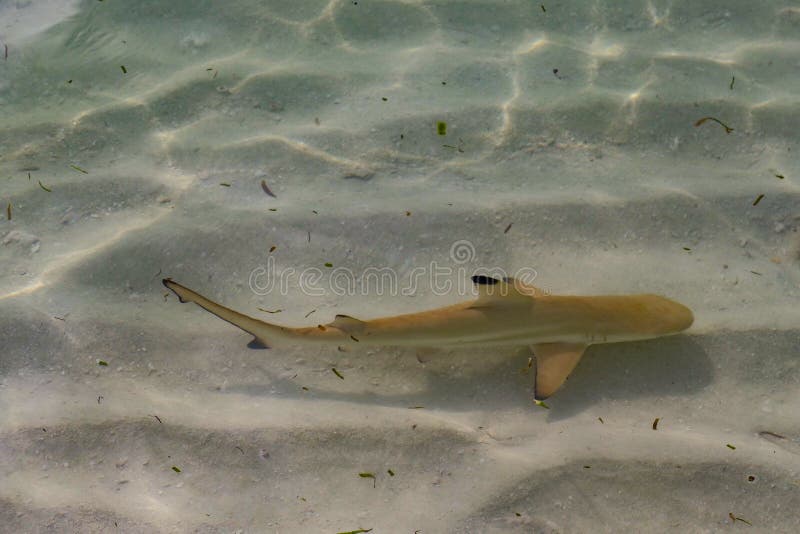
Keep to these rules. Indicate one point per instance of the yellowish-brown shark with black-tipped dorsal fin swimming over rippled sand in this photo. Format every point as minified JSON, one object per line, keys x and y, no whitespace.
{"x":506,"y":313}
